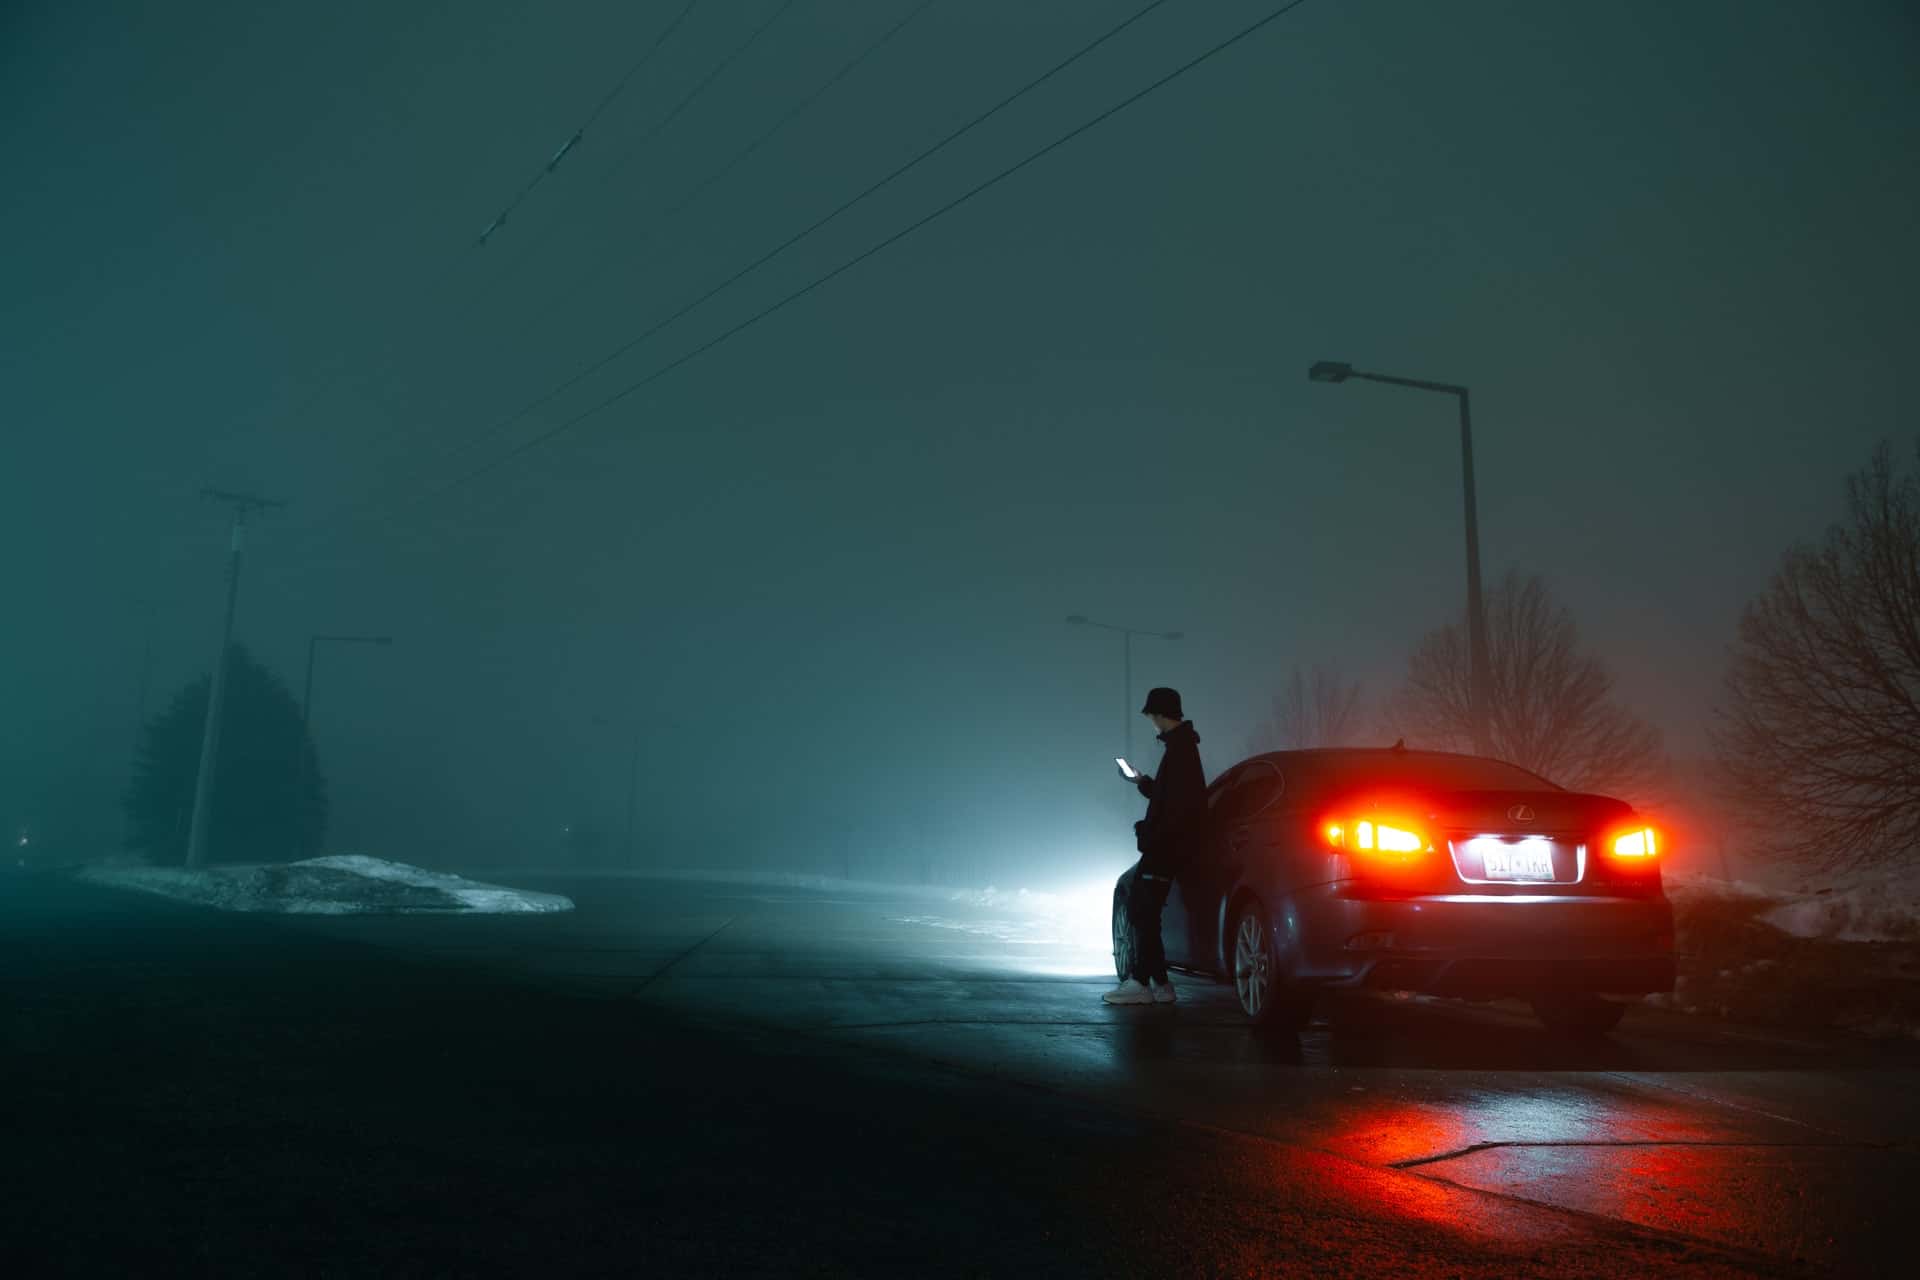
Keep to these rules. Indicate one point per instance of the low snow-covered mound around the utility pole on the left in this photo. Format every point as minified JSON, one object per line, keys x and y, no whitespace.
{"x":335,"y":886}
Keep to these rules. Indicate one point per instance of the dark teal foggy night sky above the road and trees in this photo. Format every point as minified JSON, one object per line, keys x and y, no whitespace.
{"x":823,"y":569}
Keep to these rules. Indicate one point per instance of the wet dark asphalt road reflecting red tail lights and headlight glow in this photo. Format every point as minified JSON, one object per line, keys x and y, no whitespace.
{"x":736,"y":1079}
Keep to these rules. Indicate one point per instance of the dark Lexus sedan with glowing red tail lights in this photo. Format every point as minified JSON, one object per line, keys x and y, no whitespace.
{"x":1414,"y":870}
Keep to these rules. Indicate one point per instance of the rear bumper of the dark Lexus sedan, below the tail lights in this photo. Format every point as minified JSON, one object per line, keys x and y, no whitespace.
{"x":1472,"y":945}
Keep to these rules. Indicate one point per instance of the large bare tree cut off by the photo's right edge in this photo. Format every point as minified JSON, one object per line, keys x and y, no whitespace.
{"x":1819,"y":728}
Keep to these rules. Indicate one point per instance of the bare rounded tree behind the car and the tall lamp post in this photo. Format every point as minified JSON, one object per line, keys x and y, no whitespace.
{"x":1550,"y":707}
